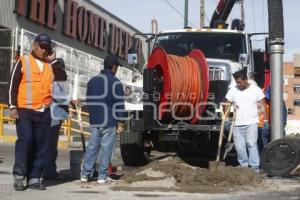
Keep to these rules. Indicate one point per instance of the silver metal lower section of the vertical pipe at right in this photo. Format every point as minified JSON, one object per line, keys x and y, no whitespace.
{"x":276,"y":60}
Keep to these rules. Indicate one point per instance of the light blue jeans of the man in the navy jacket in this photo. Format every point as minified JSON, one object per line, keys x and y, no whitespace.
{"x":101,"y":139}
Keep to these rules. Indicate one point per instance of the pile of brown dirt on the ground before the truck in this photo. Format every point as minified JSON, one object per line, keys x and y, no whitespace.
{"x":184,"y":174}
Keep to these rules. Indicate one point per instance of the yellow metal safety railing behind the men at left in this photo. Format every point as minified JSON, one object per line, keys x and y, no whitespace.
{"x":69,"y":126}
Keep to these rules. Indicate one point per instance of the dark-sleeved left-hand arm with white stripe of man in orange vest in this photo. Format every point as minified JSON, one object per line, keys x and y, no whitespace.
{"x":15,"y":80}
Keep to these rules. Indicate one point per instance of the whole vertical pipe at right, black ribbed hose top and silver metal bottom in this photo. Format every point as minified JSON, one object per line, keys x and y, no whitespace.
{"x":276,"y":42}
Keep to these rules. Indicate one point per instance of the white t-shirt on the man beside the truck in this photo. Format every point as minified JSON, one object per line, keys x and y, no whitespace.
{"x":246,"y":104}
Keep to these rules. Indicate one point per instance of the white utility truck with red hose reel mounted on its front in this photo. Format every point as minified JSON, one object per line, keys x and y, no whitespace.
{"x":189,"y":71}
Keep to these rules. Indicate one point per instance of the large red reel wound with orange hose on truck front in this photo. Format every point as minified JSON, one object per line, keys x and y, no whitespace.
{"x":185,"y":82}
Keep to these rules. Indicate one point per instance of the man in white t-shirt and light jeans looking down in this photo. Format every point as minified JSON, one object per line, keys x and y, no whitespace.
{"x":246,"y":97}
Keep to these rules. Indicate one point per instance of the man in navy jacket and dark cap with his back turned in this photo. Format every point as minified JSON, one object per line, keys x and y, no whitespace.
{"x":105,"y":103}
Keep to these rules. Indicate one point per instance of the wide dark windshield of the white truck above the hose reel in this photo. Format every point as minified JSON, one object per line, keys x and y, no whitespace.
{"x":213,"y":45}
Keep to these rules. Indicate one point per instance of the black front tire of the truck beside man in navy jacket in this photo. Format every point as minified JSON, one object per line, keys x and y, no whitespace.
{"x":132,"y":149}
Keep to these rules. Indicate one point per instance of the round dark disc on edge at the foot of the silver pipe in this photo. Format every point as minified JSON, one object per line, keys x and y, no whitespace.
{"x":281,"y":157}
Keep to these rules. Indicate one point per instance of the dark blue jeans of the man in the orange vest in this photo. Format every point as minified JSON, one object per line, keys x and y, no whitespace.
{"x":32,"y":142}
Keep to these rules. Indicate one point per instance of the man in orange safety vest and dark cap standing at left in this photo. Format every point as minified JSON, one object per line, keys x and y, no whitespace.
{"x":29,"y":98}
